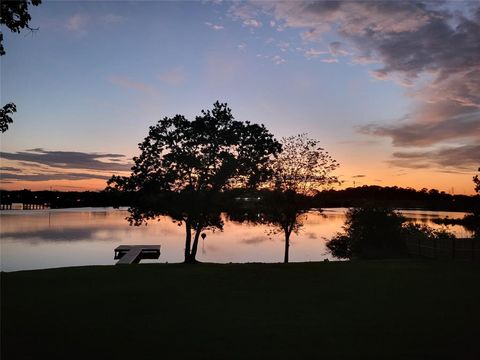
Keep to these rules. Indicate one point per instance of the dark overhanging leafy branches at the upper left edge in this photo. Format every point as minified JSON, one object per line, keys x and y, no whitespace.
{"x":15,"y":16}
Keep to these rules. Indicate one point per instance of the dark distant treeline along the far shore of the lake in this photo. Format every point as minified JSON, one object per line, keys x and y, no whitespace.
{"x":393,"y":197}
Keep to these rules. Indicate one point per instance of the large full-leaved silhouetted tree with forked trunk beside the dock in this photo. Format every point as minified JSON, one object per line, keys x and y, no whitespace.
{"x":194,"y":161}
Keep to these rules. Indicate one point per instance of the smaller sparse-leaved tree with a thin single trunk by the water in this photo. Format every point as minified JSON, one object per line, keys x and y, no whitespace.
{"x":302,"y":168}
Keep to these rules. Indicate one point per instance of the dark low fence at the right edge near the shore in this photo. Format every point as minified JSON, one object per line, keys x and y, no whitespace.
{"x":466,"y":249}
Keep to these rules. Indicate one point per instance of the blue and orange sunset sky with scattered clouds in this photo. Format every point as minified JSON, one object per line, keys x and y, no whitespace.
{"x":391,"y":89}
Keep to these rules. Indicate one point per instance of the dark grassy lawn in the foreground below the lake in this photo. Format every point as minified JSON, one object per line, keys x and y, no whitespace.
{"x":400,"y":309}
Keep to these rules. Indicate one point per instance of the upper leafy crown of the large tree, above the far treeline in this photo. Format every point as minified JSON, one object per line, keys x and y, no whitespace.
{"x":211,"y":153}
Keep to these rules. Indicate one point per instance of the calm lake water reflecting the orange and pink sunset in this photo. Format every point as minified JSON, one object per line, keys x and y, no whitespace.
{"x":69,"y":237}
